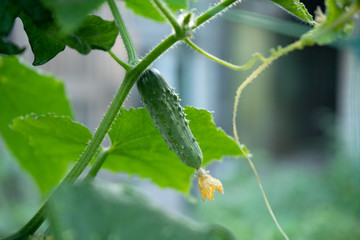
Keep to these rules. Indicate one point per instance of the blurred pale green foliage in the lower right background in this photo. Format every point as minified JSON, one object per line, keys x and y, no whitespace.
{"x":309,"y":200}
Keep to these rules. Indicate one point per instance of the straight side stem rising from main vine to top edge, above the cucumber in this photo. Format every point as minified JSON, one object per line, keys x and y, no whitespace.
{"x":129,"y":45}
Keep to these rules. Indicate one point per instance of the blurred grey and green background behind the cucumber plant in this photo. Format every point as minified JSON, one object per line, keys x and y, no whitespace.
{"x":300,"y":119}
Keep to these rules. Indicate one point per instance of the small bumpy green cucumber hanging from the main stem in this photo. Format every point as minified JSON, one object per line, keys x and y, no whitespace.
{"x":163,"y":105}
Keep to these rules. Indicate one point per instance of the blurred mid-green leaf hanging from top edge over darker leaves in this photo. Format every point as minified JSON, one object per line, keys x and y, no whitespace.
{"x":70,"y":14}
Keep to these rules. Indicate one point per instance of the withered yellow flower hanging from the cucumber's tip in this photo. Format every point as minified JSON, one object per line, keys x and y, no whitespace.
{"x":208,"y":184}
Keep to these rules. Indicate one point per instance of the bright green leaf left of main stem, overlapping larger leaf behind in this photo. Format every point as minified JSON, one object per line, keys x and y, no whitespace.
{"x":55,"y":142}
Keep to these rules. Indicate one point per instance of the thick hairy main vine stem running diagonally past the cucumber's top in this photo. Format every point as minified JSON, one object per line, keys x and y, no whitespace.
{"x":91,"y":149}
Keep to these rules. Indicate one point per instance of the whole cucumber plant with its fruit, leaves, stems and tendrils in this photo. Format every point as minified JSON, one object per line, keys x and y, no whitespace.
{"x":39,"y":129}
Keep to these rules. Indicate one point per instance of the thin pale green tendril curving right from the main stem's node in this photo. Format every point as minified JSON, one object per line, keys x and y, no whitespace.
{"x":222,"y":62}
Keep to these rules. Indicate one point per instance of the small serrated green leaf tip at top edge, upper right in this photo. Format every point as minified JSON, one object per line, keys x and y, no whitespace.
{"x":296,"y":8}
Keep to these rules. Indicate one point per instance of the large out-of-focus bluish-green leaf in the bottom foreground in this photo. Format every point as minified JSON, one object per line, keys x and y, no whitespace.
{"x":116,"y":212}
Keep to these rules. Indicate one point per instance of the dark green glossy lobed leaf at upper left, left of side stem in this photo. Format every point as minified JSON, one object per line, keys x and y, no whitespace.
{"x":46,"y":41}
